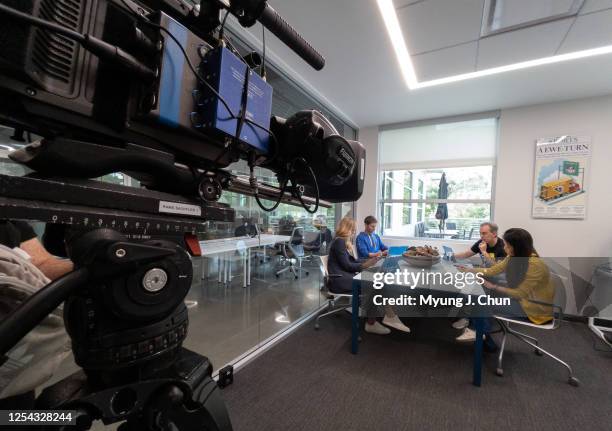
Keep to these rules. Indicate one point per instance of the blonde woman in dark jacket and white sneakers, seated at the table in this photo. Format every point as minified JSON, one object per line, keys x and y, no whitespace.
{"x":342,"y":261}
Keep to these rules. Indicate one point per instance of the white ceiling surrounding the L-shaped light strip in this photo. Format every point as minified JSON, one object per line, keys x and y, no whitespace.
{"x":363,"y":82}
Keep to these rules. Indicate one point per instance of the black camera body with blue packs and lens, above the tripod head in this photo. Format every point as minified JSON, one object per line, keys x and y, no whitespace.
{"x":197,"y":102}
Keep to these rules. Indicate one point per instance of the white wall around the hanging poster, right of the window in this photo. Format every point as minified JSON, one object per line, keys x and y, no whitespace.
{"x":519,"y":128}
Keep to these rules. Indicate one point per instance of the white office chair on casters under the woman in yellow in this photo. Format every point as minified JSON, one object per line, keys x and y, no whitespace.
{"x":505,"y":323}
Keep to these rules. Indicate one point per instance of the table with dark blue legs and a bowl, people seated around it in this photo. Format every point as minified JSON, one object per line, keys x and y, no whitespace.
{"x":438,"y":290}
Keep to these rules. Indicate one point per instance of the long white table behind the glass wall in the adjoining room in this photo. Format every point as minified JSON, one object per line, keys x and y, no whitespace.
{"x":226,"y":248}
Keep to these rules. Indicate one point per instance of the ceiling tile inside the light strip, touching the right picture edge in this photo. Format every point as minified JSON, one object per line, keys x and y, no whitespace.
{"x":589,"y":31}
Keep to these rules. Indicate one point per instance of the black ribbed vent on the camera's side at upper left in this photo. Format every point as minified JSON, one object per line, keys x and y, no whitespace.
{"x":54,"y":55}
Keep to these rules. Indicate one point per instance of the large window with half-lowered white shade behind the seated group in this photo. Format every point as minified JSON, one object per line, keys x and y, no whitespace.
{"x":416,"y":158}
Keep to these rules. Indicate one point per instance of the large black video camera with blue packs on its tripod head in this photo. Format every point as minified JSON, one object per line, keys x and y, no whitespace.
{"x":148,"y":88}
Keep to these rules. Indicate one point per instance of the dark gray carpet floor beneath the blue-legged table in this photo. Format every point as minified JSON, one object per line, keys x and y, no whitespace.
{"x":420,"y":381}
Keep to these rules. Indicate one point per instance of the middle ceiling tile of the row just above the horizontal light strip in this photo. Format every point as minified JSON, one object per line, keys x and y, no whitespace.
{"x":521,"y":45}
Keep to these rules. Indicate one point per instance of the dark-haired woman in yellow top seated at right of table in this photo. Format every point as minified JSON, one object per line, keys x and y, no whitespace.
{"x":528,"y":278}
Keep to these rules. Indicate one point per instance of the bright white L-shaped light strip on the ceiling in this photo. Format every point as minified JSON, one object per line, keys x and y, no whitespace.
{"x":403,"y":56}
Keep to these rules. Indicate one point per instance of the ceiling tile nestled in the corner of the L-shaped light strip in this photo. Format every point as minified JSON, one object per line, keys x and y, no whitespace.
{"x":445,"y":62}
